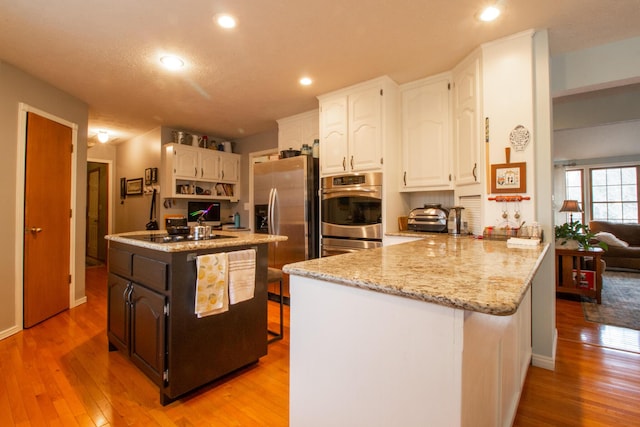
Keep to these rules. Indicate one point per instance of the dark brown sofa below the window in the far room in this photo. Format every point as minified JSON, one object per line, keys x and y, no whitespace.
{"x":623,"y":241}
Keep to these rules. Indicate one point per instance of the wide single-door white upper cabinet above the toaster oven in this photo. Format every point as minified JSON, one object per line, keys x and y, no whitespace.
{"x":425,"y":127}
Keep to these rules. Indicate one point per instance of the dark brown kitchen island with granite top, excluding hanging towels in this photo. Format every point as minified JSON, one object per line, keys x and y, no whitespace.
{"x":151,"y":309}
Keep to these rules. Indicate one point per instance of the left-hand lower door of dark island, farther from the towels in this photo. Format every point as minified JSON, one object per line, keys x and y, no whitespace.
{"x":118,"y":313}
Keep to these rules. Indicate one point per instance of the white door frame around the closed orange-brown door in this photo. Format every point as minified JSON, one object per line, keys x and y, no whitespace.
{"x":23,"y":109}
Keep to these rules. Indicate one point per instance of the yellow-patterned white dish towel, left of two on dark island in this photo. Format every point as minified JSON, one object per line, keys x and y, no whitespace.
{"x":211,"y":284}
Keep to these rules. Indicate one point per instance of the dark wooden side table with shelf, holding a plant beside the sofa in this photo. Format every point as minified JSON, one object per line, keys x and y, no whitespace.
{"x":572,"y":275}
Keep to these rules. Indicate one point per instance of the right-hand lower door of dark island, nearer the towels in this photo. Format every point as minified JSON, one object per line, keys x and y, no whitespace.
{"x":148,"y":325}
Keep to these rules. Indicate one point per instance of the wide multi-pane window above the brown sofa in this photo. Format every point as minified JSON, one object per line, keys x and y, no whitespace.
{"x":614,"y":194}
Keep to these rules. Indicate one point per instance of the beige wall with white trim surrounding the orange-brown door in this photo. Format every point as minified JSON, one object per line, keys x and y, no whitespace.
{"x":18,"y":87}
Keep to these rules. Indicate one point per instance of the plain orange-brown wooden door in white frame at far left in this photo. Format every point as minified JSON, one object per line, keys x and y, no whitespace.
{"x":47,"y":219}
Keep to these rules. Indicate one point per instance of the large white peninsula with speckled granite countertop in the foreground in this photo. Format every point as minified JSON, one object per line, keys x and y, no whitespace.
{"x":431,"y":332}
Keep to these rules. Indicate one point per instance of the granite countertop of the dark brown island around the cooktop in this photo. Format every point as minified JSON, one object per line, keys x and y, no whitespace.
{"x":238,"y":238}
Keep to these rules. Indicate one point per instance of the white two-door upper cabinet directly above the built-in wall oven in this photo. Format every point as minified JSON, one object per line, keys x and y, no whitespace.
{"x":352,"y":123}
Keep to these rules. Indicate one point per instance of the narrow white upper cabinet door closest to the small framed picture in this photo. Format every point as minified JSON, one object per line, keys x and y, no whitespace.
{"x":466,"y":130}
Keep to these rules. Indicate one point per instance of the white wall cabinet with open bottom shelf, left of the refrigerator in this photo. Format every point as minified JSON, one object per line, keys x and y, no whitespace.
{"x":191,"y":172}
